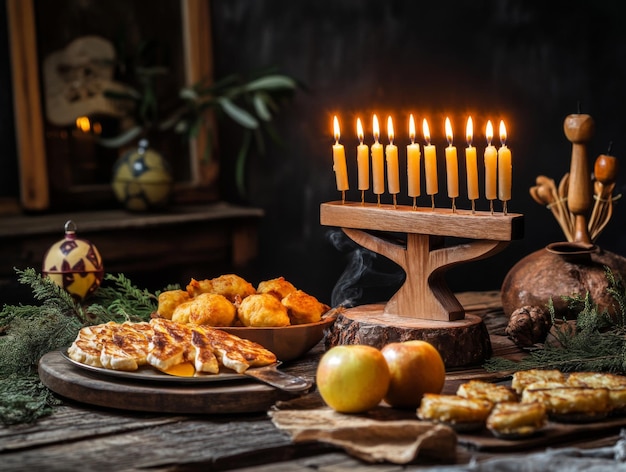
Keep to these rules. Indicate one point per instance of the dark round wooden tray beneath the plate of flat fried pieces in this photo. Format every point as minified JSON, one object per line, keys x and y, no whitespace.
{"x":234,"y":396}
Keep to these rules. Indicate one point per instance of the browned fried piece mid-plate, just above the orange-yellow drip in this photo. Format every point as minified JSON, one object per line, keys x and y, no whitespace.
{"x":170,"y":344}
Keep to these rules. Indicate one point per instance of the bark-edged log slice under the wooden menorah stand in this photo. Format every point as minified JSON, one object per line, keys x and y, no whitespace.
{"x":460,"y":343}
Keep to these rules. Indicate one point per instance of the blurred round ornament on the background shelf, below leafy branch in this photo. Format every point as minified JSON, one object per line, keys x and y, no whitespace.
{"x":142,"y":179}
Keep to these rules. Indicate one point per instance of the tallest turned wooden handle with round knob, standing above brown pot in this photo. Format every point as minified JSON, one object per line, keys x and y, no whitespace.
{"x":579,"y":129}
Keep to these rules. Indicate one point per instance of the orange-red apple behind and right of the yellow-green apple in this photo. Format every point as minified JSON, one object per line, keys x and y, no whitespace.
{"x":415,"y":368}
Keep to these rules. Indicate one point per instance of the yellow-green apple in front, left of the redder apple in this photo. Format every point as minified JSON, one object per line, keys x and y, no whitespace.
{"x":352,"y":378}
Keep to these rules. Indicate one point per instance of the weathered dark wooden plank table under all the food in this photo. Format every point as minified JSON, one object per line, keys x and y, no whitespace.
{"x":83,"y":437}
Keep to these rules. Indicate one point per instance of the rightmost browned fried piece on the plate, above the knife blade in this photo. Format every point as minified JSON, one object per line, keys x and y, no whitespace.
{"x":232,"y":351}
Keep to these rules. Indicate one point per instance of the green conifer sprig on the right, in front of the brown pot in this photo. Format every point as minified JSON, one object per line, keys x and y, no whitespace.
{"x":595,"y":342}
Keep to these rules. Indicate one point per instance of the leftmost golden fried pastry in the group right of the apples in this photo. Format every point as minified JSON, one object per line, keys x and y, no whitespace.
{"x":453,"y":409}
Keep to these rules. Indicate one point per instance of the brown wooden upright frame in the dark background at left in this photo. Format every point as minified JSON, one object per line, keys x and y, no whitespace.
{"x":28,"y":109}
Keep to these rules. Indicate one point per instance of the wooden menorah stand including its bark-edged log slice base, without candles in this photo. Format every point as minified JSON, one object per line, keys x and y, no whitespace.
{"x":424,"y":307}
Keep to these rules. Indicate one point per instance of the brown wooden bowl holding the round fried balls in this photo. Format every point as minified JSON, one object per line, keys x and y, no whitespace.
{"x":287,"y":342}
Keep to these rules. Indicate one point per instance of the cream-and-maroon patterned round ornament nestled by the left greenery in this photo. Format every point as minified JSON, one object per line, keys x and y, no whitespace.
{"x":74,"y":264}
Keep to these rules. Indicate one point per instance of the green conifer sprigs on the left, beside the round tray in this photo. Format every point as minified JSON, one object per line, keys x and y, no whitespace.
{"x":27,"y":332}
